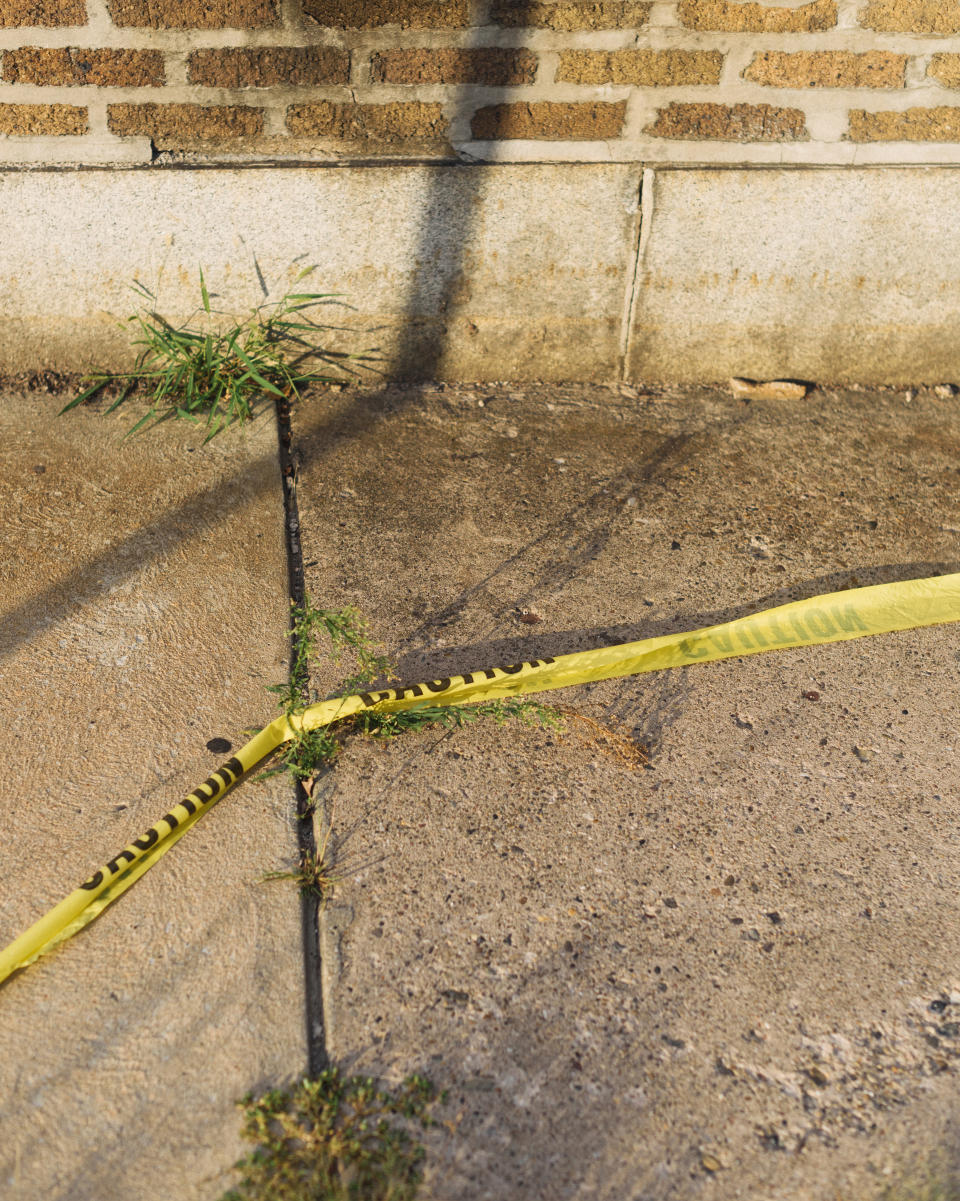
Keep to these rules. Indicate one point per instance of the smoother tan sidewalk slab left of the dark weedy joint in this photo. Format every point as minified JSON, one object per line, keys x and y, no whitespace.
{"x":144,"y":614}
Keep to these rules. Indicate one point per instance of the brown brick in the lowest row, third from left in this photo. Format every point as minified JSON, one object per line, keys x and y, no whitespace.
{"x":380,"y":124}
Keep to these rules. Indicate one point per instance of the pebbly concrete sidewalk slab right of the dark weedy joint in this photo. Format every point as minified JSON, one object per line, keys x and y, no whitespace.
{"x":734,"y":975}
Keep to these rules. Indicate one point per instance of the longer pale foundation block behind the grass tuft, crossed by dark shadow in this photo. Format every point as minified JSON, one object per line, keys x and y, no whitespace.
{"x":451,"y":271}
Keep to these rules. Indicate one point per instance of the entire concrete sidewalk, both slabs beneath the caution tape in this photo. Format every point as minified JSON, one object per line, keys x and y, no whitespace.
{"x":735,"y":972}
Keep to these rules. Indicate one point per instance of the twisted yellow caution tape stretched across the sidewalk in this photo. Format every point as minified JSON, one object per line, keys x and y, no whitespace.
{"x":833,"y":618}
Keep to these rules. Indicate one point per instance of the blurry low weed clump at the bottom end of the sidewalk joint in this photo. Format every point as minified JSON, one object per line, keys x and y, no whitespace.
{"x":336,"y":1140}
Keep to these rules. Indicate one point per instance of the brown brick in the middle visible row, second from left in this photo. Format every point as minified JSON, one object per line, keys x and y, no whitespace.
{"x":270,"y":67}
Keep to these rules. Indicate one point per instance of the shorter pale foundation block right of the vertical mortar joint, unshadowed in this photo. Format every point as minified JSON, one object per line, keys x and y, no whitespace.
{"x":812,"y":274}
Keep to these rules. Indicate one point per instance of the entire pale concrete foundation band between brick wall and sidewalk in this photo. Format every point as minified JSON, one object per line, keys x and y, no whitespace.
{"x":592,"y":272}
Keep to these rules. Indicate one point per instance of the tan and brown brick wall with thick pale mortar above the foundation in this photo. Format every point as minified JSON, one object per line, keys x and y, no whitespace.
{"x":696,"y":81}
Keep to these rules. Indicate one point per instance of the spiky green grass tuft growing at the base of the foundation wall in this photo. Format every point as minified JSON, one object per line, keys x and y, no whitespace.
{"x":222,"y":377}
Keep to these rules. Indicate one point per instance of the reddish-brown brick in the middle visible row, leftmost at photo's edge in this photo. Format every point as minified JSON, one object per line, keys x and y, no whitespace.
{"x":71,"y":67}
